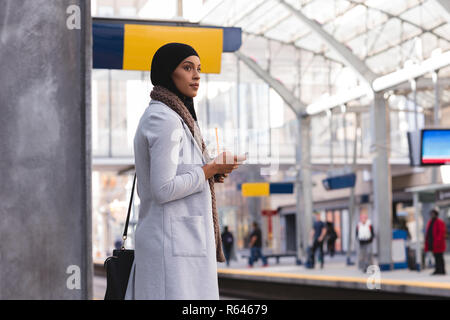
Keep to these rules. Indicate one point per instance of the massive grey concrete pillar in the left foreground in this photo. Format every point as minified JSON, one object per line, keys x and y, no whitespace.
{"x":45,"y":142}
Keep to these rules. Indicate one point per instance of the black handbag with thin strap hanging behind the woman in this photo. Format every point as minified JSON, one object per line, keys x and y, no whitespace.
{"x":118,"y":266}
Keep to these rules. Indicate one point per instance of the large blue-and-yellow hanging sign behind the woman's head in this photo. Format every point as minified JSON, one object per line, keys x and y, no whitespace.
{"x":130,"y":45}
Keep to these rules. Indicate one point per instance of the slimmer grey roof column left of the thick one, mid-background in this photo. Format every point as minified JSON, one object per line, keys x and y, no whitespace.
{"x":304,"y":204}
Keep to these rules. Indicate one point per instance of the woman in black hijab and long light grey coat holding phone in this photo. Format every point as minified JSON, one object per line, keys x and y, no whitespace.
{"x":177,"y":238}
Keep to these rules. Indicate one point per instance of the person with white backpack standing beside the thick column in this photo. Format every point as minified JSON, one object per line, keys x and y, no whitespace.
{"x":365,"y":235}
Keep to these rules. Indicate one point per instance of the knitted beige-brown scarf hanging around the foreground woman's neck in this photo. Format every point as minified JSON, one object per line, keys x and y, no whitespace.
{"x":173,"y":101}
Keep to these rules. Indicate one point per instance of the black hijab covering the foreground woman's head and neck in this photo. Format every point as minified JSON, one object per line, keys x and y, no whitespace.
{"x":165,"y":61}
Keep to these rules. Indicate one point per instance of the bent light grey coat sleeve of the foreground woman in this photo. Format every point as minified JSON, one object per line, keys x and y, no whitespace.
{"x":164,"y":134}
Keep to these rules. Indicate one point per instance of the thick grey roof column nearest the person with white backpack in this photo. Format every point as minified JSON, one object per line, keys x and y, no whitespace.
{"x":382,"y":181}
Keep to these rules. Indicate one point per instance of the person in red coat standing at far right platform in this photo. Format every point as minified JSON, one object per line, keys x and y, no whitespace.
{"x":435,"y":241}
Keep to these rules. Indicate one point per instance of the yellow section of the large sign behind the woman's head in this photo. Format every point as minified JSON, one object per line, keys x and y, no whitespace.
{"x":142,"y":41}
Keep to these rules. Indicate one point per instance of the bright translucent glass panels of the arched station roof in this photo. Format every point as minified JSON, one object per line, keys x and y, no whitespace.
{"x":384,"y":34}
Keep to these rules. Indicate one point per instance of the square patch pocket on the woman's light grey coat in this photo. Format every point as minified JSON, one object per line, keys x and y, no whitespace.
{"x":188,"y":236}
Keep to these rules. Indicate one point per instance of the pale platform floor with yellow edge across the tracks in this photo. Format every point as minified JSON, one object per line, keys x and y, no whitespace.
{"x":337,"y":274}
